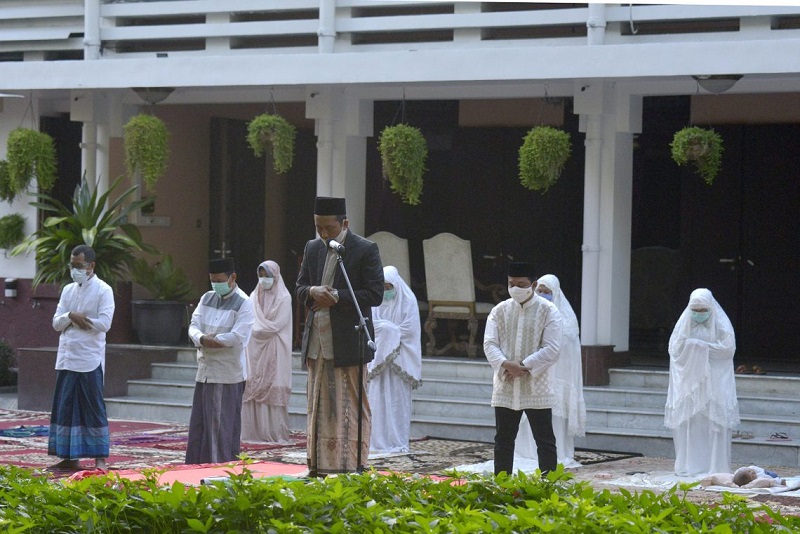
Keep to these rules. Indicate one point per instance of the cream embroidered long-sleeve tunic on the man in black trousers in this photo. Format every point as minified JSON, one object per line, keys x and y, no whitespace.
{"x":529,"y":334}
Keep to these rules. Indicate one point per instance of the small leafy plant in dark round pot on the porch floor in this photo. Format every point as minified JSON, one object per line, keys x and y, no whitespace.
{"x":160,"y":320}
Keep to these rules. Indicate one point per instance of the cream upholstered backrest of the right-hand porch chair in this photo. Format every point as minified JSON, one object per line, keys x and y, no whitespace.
{"x":448,"y":269}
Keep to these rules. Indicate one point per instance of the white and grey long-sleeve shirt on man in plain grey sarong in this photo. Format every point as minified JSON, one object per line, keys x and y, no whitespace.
{"x":230,"y":320}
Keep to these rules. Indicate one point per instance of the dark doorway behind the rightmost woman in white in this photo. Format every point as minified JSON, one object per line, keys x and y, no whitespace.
{"x":738,"y":237}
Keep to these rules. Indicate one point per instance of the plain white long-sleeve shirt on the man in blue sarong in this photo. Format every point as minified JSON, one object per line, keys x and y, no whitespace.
{"x":83,"y":350}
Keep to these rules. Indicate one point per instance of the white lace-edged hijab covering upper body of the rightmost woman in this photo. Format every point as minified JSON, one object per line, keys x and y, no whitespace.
{"x":701,"y":378}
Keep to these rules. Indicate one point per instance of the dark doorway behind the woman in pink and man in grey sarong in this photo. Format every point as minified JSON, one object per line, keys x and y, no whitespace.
{"x":237,"y":189}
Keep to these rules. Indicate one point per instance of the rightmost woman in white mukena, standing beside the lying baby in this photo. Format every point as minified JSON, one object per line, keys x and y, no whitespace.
{"x":701,"y":405}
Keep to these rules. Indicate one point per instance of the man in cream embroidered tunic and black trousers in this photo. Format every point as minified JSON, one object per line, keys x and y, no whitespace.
{"x":521,"y":342}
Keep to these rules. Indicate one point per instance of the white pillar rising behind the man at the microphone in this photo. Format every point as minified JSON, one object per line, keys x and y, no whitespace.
{"x":343,"y":122}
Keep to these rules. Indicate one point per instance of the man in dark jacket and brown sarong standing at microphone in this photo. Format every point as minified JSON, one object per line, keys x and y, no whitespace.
{"x":330,"y":339}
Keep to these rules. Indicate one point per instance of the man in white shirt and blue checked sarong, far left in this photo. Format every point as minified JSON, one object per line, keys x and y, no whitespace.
{"x":78,"y":422}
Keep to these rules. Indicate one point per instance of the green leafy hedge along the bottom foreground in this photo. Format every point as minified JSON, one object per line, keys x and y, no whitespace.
{"x":369,"y":502}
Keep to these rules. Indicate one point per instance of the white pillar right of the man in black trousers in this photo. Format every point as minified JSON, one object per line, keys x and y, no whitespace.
{"x":609,"y":119}
